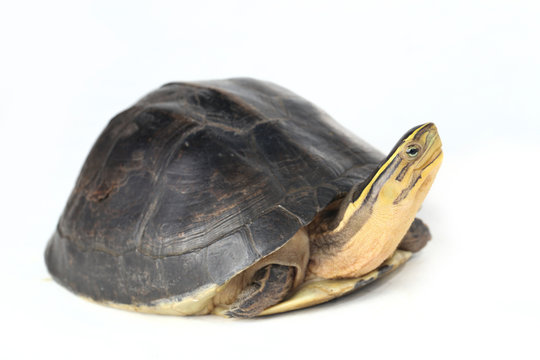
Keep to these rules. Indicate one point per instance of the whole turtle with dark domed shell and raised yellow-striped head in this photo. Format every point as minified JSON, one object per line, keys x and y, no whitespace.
{"x":238,"y":197}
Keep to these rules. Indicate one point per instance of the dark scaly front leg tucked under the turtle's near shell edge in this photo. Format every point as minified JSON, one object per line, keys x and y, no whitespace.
{"x":270,"y":285}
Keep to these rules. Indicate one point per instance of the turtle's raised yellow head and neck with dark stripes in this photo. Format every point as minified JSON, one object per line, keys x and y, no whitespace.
{"x":373,"y":225}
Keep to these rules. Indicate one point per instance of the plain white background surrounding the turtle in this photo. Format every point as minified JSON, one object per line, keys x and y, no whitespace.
{"x":379,"y":68}
